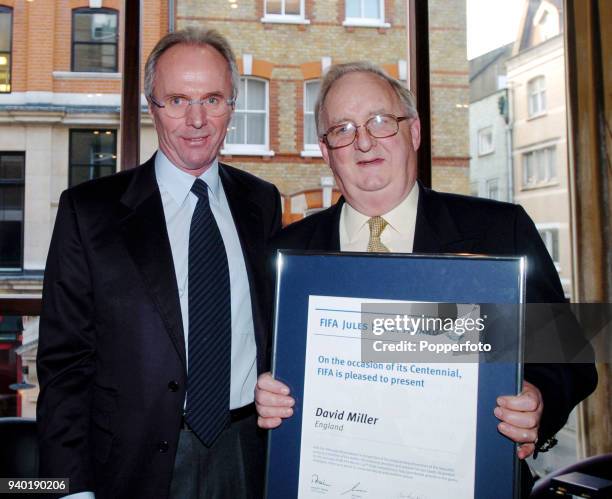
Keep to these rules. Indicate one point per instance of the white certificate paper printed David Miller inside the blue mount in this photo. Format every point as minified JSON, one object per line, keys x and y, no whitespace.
{"x":381,"y":430}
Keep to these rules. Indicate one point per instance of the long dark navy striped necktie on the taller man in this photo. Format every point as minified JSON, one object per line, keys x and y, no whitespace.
{"x":210,"y":324}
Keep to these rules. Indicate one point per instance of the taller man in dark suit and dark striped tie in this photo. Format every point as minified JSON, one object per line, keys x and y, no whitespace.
{"x":117,"y":349}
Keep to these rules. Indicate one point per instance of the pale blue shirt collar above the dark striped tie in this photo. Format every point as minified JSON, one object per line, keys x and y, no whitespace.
{"x":178,"y":183}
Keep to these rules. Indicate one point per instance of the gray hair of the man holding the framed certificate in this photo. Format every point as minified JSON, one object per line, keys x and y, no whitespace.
{"x":339,"y":70}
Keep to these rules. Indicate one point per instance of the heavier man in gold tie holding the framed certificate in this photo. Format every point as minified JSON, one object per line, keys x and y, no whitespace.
{"x":369,"y":133}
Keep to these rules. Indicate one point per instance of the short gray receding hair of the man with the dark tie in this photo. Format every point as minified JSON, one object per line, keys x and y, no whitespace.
{"x":194,"y":36}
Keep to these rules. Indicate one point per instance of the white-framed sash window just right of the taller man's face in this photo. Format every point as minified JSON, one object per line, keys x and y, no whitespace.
{"x":248,"y":130}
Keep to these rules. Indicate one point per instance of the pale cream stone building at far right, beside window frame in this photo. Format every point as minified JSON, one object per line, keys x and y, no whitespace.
{"x":536,"y":79}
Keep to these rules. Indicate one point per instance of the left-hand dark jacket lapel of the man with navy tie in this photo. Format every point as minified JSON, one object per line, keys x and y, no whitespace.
{"x":146,"y":238}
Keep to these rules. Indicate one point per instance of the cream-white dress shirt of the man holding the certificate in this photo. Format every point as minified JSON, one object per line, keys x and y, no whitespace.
{"x":398,"y":235}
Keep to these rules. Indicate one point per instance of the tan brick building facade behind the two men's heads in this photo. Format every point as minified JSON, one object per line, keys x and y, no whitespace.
{"x":288,"y":51}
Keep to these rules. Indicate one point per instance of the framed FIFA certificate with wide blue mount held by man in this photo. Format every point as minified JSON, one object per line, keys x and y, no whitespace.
{"x":395,"y":362}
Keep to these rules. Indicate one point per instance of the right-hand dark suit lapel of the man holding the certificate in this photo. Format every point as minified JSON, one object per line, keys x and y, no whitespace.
{"x":436,"y":230}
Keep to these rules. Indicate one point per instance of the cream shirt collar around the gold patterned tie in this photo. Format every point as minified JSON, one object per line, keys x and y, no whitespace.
{"x":396,"y":218}
